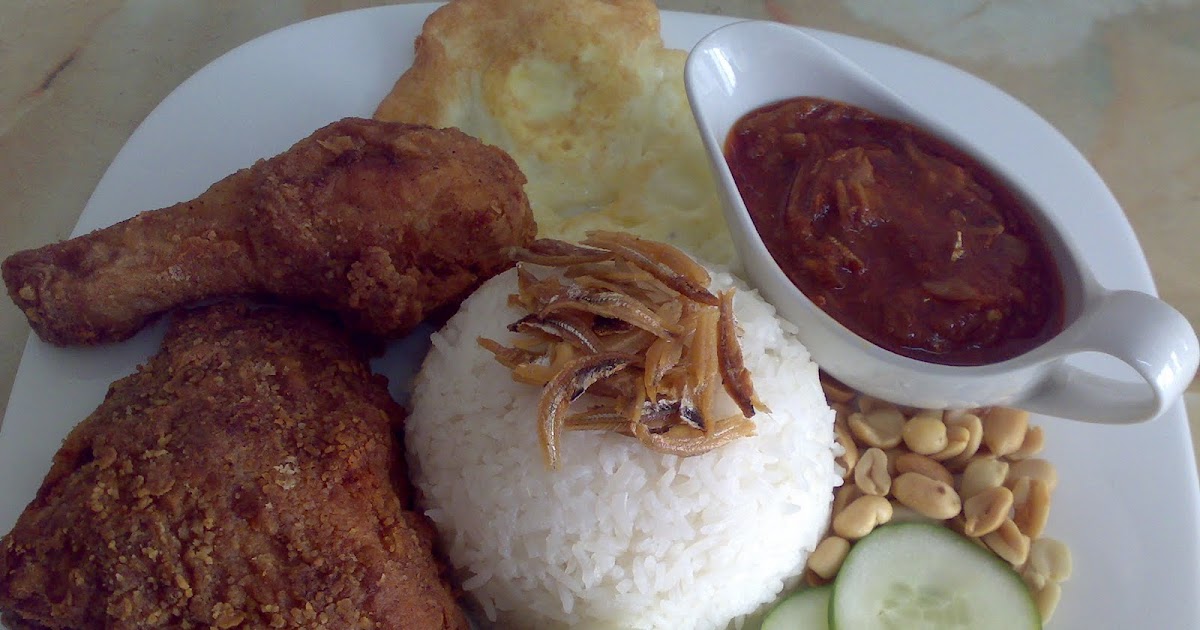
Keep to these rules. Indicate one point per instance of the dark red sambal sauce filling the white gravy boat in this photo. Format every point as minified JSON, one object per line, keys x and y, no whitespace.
{"x":897,"y":235}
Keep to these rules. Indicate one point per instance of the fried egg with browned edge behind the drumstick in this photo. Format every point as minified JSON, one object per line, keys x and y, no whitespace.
{"x":587,"y":100}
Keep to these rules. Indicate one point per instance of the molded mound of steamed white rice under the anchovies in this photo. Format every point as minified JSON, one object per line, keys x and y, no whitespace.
{"x":619,"y":537}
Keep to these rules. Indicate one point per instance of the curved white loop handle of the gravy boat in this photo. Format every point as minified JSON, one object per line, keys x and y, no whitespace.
{"x":1139,"y":331}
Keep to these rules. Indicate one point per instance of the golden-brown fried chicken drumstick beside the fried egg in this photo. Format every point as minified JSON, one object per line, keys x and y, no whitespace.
{"x":381,"y":223}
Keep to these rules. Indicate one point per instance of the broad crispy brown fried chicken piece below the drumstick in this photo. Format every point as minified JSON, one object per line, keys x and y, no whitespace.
{"x":245,"y":477}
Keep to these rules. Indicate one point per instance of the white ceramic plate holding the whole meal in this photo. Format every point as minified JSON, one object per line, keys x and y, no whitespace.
{"x":1127,"y":502}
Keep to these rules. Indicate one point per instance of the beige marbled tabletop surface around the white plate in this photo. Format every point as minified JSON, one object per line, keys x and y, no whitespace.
{"x":1120,"y":79}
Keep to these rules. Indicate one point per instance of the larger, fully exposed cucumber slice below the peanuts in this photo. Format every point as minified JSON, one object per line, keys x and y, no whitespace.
{"x":916,"y":577}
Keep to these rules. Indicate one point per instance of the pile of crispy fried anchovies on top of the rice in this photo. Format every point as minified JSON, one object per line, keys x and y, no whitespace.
{"x":631,"y":323}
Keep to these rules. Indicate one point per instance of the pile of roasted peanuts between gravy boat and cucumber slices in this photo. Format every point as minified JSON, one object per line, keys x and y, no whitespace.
{"x":975,"y":471}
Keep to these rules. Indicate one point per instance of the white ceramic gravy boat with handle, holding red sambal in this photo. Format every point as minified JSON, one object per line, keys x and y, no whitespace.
{"x":747,"y":65}
